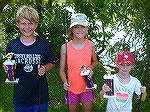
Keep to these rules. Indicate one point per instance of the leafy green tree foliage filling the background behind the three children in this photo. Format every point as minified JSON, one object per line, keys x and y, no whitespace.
{"x":106,"y":17}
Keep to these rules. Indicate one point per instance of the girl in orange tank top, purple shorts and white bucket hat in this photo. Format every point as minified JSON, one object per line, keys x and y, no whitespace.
{"x":80,"y":51}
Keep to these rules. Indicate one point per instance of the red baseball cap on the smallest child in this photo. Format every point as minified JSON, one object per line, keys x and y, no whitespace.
{"x":125,"y":57}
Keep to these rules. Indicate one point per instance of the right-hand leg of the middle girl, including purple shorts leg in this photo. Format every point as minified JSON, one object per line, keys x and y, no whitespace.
{"x":87,"y":100}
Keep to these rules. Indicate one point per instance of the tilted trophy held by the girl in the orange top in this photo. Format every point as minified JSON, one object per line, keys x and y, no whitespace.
{"x":85,"y":74}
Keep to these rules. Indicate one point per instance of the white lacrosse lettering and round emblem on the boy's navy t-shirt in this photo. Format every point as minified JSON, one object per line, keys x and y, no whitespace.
{"x":28,"y":60}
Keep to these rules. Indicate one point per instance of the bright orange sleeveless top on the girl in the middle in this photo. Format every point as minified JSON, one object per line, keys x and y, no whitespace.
{"x":77,"y":58}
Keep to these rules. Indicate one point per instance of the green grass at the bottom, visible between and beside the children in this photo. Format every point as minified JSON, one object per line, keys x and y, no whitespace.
{"x":56,"y":94}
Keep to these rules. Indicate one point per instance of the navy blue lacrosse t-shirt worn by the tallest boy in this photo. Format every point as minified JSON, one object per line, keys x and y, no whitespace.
{"x":30,"y":85}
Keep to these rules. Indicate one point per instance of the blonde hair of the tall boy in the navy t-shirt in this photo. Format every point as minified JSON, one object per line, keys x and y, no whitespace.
{"x":28,"y":13}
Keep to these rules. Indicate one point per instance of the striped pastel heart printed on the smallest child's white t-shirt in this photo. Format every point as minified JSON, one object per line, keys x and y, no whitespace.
{"x":121,"y":99}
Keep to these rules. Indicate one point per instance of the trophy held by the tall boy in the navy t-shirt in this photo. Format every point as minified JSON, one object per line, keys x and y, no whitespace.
{"x":11,"y":66}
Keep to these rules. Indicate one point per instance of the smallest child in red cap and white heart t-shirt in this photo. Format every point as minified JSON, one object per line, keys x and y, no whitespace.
{"x":124,"y":85}
